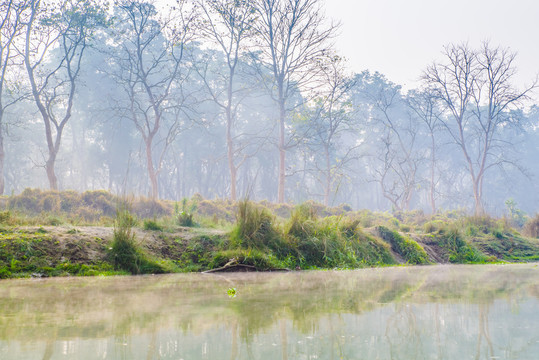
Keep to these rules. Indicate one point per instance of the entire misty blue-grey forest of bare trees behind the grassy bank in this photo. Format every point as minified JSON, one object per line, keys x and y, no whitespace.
{"x":235,"y":99}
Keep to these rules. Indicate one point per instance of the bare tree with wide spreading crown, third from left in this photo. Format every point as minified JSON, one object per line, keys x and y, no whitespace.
{"x":148,"y":66}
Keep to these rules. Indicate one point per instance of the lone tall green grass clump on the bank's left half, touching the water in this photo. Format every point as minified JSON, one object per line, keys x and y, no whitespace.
{"x":125,"y":252}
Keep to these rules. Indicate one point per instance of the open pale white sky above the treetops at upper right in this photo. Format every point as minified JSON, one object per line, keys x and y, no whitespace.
{"x":400,"y":38}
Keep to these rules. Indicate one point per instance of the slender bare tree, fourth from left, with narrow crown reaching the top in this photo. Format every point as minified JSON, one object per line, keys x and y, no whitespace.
{"x":227,"y":24}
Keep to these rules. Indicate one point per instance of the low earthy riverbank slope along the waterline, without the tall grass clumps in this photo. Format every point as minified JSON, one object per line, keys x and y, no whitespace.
{"x":86,"y":251}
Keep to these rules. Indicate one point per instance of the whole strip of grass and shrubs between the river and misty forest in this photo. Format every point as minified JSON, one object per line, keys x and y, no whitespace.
{"x":161,"y":237}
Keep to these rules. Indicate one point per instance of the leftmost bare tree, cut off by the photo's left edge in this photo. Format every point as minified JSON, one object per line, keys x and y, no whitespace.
{"x":11,"y":25}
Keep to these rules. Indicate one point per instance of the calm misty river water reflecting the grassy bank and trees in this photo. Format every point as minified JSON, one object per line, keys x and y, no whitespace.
{"x":430,"y":312}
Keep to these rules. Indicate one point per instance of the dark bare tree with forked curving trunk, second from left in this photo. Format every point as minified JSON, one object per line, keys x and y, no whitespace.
{"x":56,"y":40}
